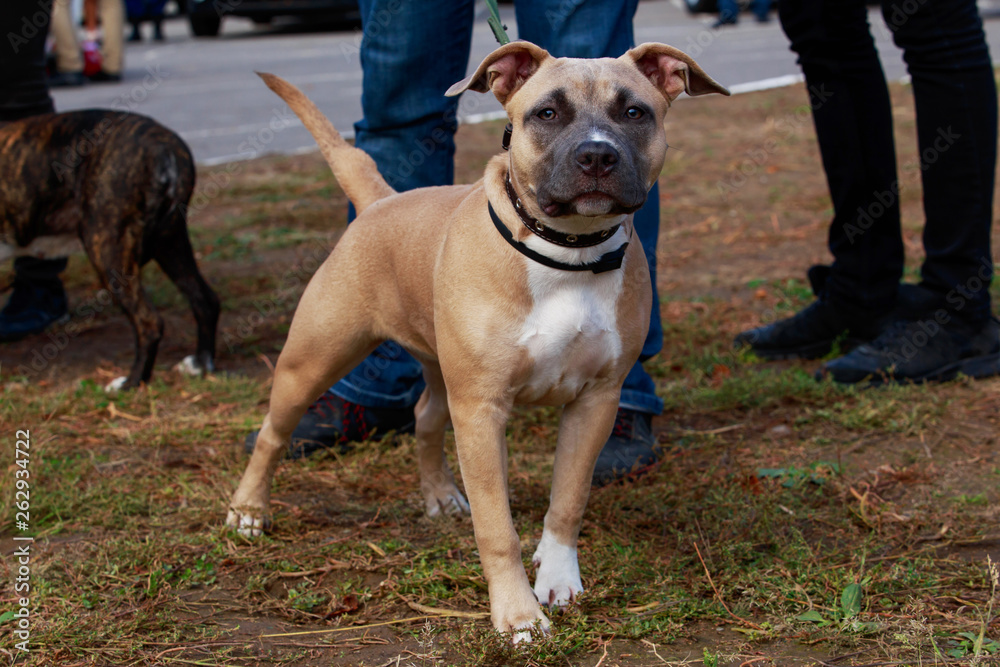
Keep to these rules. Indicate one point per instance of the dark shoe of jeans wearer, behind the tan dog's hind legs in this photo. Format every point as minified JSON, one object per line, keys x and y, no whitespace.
{"x":332,"y":422}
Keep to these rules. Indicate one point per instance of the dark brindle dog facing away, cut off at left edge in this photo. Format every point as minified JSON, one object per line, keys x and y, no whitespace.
{"x":119,"y":184}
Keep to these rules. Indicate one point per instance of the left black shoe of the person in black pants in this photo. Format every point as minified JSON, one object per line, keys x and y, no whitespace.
{"x":810,"y":333}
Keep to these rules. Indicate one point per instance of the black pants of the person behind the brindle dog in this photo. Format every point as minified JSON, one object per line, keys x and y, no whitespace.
{"x":24,"y":25}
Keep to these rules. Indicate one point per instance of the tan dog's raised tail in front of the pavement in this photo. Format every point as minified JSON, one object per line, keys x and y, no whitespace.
{"x":354,"y":169}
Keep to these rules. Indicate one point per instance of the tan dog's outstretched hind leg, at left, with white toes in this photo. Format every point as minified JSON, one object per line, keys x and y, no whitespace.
{"x":329,"y":336}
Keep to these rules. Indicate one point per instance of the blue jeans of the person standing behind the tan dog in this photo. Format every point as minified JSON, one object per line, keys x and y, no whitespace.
{"x":411,"y":52}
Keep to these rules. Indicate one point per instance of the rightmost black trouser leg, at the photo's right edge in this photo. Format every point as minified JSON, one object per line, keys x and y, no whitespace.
{"x":956,"y":102}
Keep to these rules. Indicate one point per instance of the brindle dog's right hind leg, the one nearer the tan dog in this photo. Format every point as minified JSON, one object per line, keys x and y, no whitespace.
{"x":175,"y":256}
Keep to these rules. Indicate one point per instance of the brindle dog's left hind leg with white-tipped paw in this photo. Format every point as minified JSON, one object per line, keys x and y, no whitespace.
{"x":119,"y":271}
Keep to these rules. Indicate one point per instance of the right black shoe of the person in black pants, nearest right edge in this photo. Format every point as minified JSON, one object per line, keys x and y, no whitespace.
{"x":921,"y":351}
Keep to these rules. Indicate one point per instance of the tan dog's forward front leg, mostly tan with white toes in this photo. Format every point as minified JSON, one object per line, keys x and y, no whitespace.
{"x":482,"y":452}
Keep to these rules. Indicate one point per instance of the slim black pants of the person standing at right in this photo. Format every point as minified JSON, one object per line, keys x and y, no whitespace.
{"x":956,"y":106}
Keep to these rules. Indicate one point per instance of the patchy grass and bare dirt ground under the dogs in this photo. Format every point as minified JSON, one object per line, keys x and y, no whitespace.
{"x":790,"y":523}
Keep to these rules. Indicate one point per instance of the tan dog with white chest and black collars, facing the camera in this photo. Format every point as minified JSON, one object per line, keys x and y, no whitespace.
{"x":525,"y":287}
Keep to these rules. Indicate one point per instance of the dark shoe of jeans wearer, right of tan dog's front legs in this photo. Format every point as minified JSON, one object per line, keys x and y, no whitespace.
{"x":630,"y":451}
